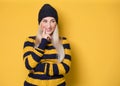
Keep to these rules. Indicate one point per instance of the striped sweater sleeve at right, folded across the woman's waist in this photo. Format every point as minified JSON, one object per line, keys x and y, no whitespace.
{"x":63,"y":67}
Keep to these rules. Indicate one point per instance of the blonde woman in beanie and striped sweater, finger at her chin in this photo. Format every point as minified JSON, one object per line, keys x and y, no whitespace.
{"x":47,"y":56}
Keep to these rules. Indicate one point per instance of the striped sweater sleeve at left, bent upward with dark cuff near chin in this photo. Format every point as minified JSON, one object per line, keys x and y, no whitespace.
{"x":31,"y":55}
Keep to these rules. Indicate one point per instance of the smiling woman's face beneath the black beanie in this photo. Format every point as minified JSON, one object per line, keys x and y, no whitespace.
{"x":48,"y":24}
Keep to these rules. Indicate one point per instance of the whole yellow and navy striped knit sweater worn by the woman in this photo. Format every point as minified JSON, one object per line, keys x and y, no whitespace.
{"x":43,"y":60}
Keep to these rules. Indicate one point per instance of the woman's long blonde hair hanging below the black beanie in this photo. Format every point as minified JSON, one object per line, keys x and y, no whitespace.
{"x":56,"y":41}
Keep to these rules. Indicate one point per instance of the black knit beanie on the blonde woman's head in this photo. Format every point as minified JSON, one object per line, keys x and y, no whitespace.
{"x":47,"y":11}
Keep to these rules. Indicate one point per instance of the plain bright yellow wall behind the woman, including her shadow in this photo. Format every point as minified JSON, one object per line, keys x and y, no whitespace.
{"x":92,"y":28}
